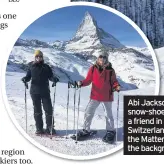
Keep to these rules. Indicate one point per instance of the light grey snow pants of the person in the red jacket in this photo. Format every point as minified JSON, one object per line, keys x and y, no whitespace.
{"x":90,"y":111}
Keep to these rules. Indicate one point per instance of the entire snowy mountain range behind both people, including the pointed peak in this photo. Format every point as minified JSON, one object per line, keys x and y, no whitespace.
{"x":71,"y":60}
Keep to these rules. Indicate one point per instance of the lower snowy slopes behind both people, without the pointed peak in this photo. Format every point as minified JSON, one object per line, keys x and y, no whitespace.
{"x":134,"y":70}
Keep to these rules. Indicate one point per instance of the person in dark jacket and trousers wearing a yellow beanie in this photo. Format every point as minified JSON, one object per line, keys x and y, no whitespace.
{"x":40,"y":73}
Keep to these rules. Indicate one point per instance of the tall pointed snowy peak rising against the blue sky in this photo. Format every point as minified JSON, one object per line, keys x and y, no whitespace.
{"x":89,"y":36}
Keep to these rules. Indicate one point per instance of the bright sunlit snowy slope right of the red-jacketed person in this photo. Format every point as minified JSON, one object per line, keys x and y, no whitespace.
{"x":133,"y":67}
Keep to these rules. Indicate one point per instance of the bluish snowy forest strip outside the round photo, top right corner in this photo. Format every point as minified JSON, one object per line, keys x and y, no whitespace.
{"x":147,"y":14}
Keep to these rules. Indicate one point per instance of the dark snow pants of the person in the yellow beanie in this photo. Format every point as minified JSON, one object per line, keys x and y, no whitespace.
{"x":47,"y":106}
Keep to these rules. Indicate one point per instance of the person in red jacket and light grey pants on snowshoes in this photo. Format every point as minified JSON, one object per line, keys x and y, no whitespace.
{"x":103,"y":79}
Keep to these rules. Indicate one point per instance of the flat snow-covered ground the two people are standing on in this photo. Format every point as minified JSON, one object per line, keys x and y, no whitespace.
{"x":15,"y":93}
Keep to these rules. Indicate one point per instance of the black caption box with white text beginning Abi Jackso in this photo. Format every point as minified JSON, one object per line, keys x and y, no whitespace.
{"x":144,"y":125}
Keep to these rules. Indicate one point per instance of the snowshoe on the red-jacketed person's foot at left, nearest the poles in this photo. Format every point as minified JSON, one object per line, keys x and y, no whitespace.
{"x":83,"y":135}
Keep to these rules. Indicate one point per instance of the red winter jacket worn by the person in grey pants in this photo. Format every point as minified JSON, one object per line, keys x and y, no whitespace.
{"x":103,"y":82}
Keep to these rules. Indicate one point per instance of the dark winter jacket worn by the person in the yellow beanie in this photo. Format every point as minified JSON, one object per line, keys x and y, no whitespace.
{"x":39,"y":74}
